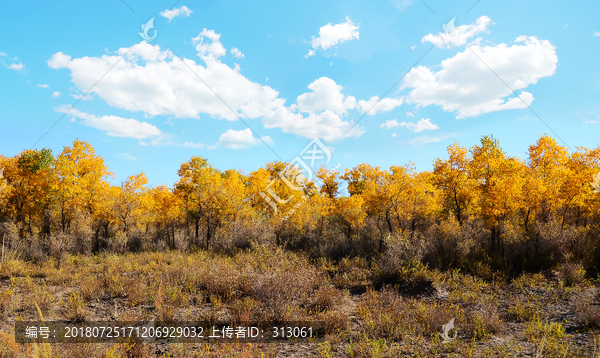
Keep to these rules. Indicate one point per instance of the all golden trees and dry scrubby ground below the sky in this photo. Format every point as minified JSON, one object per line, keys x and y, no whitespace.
{"x":509,"y":249}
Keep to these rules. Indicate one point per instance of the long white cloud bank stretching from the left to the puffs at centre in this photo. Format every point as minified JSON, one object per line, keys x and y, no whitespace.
{"x":159,"y":83}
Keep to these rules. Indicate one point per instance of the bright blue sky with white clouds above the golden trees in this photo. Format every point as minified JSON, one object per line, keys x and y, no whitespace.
{"x":294,"y":72}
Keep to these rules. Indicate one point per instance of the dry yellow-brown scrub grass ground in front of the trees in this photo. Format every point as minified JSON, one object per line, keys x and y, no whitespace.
{"x":266,"y":283}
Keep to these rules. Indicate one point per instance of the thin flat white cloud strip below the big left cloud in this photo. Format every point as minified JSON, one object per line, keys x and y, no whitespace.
{"x":115,"y":126}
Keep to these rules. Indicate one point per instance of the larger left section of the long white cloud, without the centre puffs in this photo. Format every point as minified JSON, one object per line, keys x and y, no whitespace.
{"x":158,"y":83}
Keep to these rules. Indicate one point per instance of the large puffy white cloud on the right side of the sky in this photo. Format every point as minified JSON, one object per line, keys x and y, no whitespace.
{"x":465,"y":85}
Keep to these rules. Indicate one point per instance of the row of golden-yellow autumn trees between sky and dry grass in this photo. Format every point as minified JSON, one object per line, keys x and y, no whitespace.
{"x":478,"y":207}
